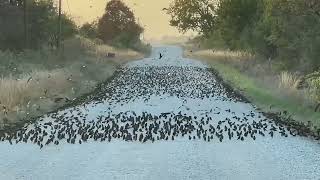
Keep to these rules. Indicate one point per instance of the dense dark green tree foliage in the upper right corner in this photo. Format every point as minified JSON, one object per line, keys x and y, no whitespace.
{"x":290,"y":32}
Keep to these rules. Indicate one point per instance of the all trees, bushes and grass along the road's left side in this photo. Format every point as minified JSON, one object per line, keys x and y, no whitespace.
{"x":38,"y":77}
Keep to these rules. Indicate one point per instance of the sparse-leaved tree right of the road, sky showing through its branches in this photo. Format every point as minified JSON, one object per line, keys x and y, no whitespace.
{"x":196,"y":15}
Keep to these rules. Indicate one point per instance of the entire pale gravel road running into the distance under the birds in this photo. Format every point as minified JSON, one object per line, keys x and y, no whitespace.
{"x":167,"y":118}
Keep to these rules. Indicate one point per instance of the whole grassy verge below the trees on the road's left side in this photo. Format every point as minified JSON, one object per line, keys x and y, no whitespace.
{"x":32,"y":82}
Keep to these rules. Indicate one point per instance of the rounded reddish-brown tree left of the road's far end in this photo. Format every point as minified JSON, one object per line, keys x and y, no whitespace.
{"x":118,"y":23}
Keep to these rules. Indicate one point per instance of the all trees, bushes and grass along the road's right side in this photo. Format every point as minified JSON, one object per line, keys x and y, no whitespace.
{"x":268,"y":50}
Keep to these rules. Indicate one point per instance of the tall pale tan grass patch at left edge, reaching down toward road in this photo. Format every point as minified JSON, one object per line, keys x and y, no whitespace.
{"x":32,"y":91}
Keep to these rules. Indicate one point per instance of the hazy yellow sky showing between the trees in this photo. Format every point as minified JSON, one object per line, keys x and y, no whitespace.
{"x":148,"y":12}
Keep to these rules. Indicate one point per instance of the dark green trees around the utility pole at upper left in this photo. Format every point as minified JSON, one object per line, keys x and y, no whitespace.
{"x":41,"y":25}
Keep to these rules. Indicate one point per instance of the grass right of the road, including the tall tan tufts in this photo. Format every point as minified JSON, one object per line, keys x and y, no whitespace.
{"x":271,"y":93}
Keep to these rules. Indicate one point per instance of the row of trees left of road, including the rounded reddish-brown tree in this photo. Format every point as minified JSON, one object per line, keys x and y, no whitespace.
{"x":117,"y":26}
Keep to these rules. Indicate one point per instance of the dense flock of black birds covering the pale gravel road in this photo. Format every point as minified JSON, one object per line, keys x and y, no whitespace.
{"x":113,"y":113}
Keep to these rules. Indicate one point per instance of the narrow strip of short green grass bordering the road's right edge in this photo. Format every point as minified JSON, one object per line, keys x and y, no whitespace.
{"x":261,"y":94}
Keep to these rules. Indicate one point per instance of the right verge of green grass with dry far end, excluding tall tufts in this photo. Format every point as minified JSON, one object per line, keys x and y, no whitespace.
{"x":268,"y":96}
